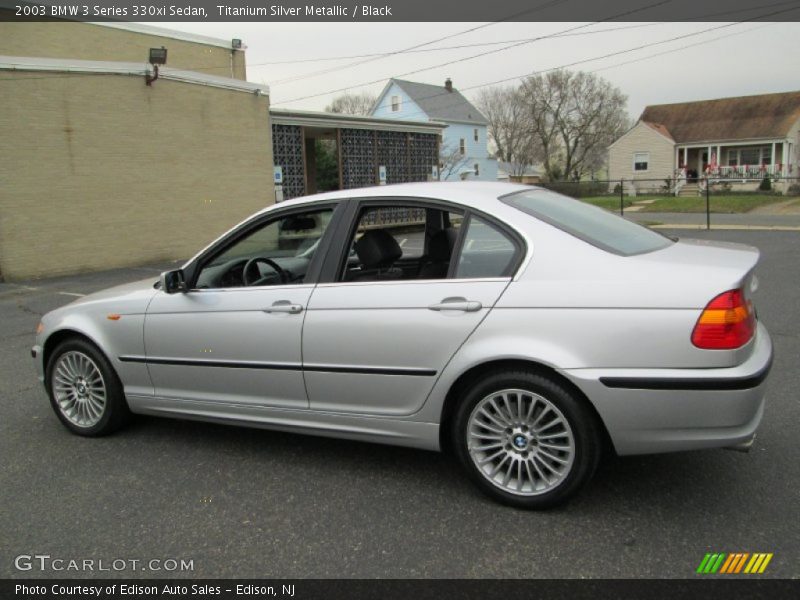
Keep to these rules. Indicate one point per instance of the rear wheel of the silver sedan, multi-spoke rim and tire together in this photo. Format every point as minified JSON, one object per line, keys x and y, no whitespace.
{"x":525,"y":439}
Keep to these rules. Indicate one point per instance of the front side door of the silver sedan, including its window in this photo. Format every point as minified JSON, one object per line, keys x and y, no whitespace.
{"x":235,"y":337}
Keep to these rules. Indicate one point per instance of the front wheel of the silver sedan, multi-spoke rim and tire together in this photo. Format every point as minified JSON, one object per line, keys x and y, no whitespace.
{"x":84,"y":390}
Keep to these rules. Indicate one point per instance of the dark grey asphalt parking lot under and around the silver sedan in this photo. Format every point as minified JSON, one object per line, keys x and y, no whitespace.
{"x":253,"y":503}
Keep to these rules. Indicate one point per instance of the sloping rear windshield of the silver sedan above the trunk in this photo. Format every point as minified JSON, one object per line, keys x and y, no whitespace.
{"x":588,"y":223}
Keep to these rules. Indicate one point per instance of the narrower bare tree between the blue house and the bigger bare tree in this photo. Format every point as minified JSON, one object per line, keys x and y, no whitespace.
{"x":509,"y":128}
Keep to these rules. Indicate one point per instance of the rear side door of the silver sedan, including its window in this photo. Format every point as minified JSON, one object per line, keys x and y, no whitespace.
{"x":375,"y":339}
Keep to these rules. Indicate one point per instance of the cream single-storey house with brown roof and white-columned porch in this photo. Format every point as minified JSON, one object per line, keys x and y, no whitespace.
{"x":739,"y":140}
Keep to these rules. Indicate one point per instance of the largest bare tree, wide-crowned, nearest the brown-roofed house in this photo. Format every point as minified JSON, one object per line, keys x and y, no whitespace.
{"x":574,"y":117}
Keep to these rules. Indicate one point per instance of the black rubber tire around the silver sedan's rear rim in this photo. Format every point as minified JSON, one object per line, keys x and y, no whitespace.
{"x":582,"y":422}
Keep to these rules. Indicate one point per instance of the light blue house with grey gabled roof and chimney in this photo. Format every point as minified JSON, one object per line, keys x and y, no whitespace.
{"x":465,"y":137}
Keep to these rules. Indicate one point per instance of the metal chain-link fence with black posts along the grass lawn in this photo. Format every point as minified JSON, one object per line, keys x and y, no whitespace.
{"x":697,"y":199}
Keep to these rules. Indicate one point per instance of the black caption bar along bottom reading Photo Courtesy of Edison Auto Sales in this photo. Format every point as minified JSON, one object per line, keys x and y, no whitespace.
{"x":706,"y":587}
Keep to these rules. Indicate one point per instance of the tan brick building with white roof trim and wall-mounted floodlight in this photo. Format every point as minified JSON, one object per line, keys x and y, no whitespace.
{"x":100,"y":170}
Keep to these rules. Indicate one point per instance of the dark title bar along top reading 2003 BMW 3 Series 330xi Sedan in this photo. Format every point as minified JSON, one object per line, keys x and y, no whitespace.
{"x":283,"y":11}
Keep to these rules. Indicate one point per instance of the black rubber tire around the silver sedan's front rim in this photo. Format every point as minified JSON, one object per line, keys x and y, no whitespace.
{"x":115,"y":413}
